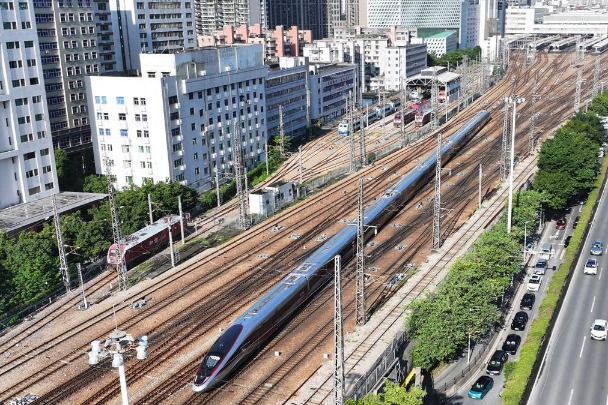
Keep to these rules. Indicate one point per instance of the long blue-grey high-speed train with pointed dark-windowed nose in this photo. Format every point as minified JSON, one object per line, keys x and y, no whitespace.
{"x":254,"y":328}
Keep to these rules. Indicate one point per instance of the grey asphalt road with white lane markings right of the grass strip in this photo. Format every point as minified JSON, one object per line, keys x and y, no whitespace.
{"x":574,"y":369}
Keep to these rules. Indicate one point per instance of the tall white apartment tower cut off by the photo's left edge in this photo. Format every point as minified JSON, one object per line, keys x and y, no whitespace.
{"x":27,"y":162}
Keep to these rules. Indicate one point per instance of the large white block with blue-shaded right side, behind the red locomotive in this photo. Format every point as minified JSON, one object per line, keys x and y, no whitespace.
{"x":178,"y":120}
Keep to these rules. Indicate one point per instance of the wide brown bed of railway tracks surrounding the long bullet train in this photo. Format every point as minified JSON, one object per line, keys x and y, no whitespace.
{"x":189,"y":306}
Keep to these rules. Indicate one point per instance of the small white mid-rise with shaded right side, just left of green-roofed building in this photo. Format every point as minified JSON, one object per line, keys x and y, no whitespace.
{"x":400,"y":62}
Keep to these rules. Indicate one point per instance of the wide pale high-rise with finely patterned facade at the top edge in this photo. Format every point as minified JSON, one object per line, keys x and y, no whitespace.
{"x":459,"y":15}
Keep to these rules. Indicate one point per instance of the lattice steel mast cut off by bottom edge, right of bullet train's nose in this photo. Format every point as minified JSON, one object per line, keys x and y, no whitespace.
{"x":338,"y":337}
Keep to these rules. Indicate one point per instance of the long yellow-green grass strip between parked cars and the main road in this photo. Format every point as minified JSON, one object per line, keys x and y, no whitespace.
{"x":518,"y":373}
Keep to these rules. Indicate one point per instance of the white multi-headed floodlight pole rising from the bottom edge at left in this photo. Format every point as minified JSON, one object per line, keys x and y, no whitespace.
{"x":122,"y":342}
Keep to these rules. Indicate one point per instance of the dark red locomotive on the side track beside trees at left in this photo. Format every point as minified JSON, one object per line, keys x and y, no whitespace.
{"x":145,"y":241}
